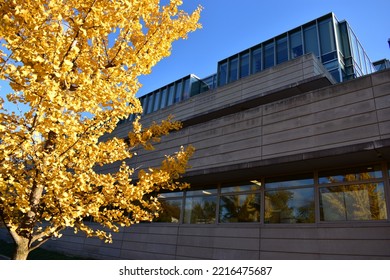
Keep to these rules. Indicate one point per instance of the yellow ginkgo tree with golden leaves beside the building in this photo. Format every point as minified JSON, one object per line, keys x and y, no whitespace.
{"x":74,"y":65}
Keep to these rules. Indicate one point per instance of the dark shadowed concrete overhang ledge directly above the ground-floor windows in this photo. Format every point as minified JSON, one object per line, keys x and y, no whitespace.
{"x":323,"y":159}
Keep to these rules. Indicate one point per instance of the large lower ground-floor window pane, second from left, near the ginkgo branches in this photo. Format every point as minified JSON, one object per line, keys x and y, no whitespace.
{"x":200,"y":210}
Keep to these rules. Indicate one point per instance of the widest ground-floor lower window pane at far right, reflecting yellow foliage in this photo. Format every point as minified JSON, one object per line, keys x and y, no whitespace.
{"x":353,"y":202}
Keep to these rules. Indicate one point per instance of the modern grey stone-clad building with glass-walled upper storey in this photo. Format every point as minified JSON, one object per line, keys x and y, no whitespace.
{"x":292,"y":158}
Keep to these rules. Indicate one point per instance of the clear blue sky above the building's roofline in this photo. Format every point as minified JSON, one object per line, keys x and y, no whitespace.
{"x":230,"y":26}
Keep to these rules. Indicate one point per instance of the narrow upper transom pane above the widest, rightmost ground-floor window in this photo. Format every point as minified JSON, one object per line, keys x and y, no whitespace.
{"x":350,"y":174}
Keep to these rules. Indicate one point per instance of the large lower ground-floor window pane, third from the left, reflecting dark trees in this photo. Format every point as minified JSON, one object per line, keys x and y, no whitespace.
{"x":239,"y":208}
